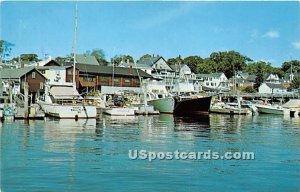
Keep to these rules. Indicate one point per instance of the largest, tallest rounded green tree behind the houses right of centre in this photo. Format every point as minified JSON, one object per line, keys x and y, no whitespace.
{"x":229,"y":62}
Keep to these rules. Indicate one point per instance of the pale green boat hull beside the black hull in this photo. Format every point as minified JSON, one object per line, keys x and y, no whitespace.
{"x":163,"y":105}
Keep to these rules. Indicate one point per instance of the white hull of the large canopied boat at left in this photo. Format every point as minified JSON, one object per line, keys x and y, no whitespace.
{"x":69,"y":111}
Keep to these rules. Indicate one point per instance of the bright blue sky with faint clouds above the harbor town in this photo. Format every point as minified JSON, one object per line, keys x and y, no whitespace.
{"x":268,"y":31}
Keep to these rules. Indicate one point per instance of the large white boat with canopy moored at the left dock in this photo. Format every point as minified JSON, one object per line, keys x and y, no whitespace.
{"x":63,"y":101}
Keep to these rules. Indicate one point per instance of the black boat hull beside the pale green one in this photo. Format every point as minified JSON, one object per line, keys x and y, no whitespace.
{"x":192,"y":106}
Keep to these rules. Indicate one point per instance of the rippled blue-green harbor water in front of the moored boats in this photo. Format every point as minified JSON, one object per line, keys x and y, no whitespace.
{"x":93,"y":155}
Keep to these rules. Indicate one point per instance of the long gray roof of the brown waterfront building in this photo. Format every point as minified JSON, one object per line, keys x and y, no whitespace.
{"x":100,"y":69}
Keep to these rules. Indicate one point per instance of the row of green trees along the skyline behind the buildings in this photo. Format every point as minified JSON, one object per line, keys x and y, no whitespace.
{"x":227,"y":62}
